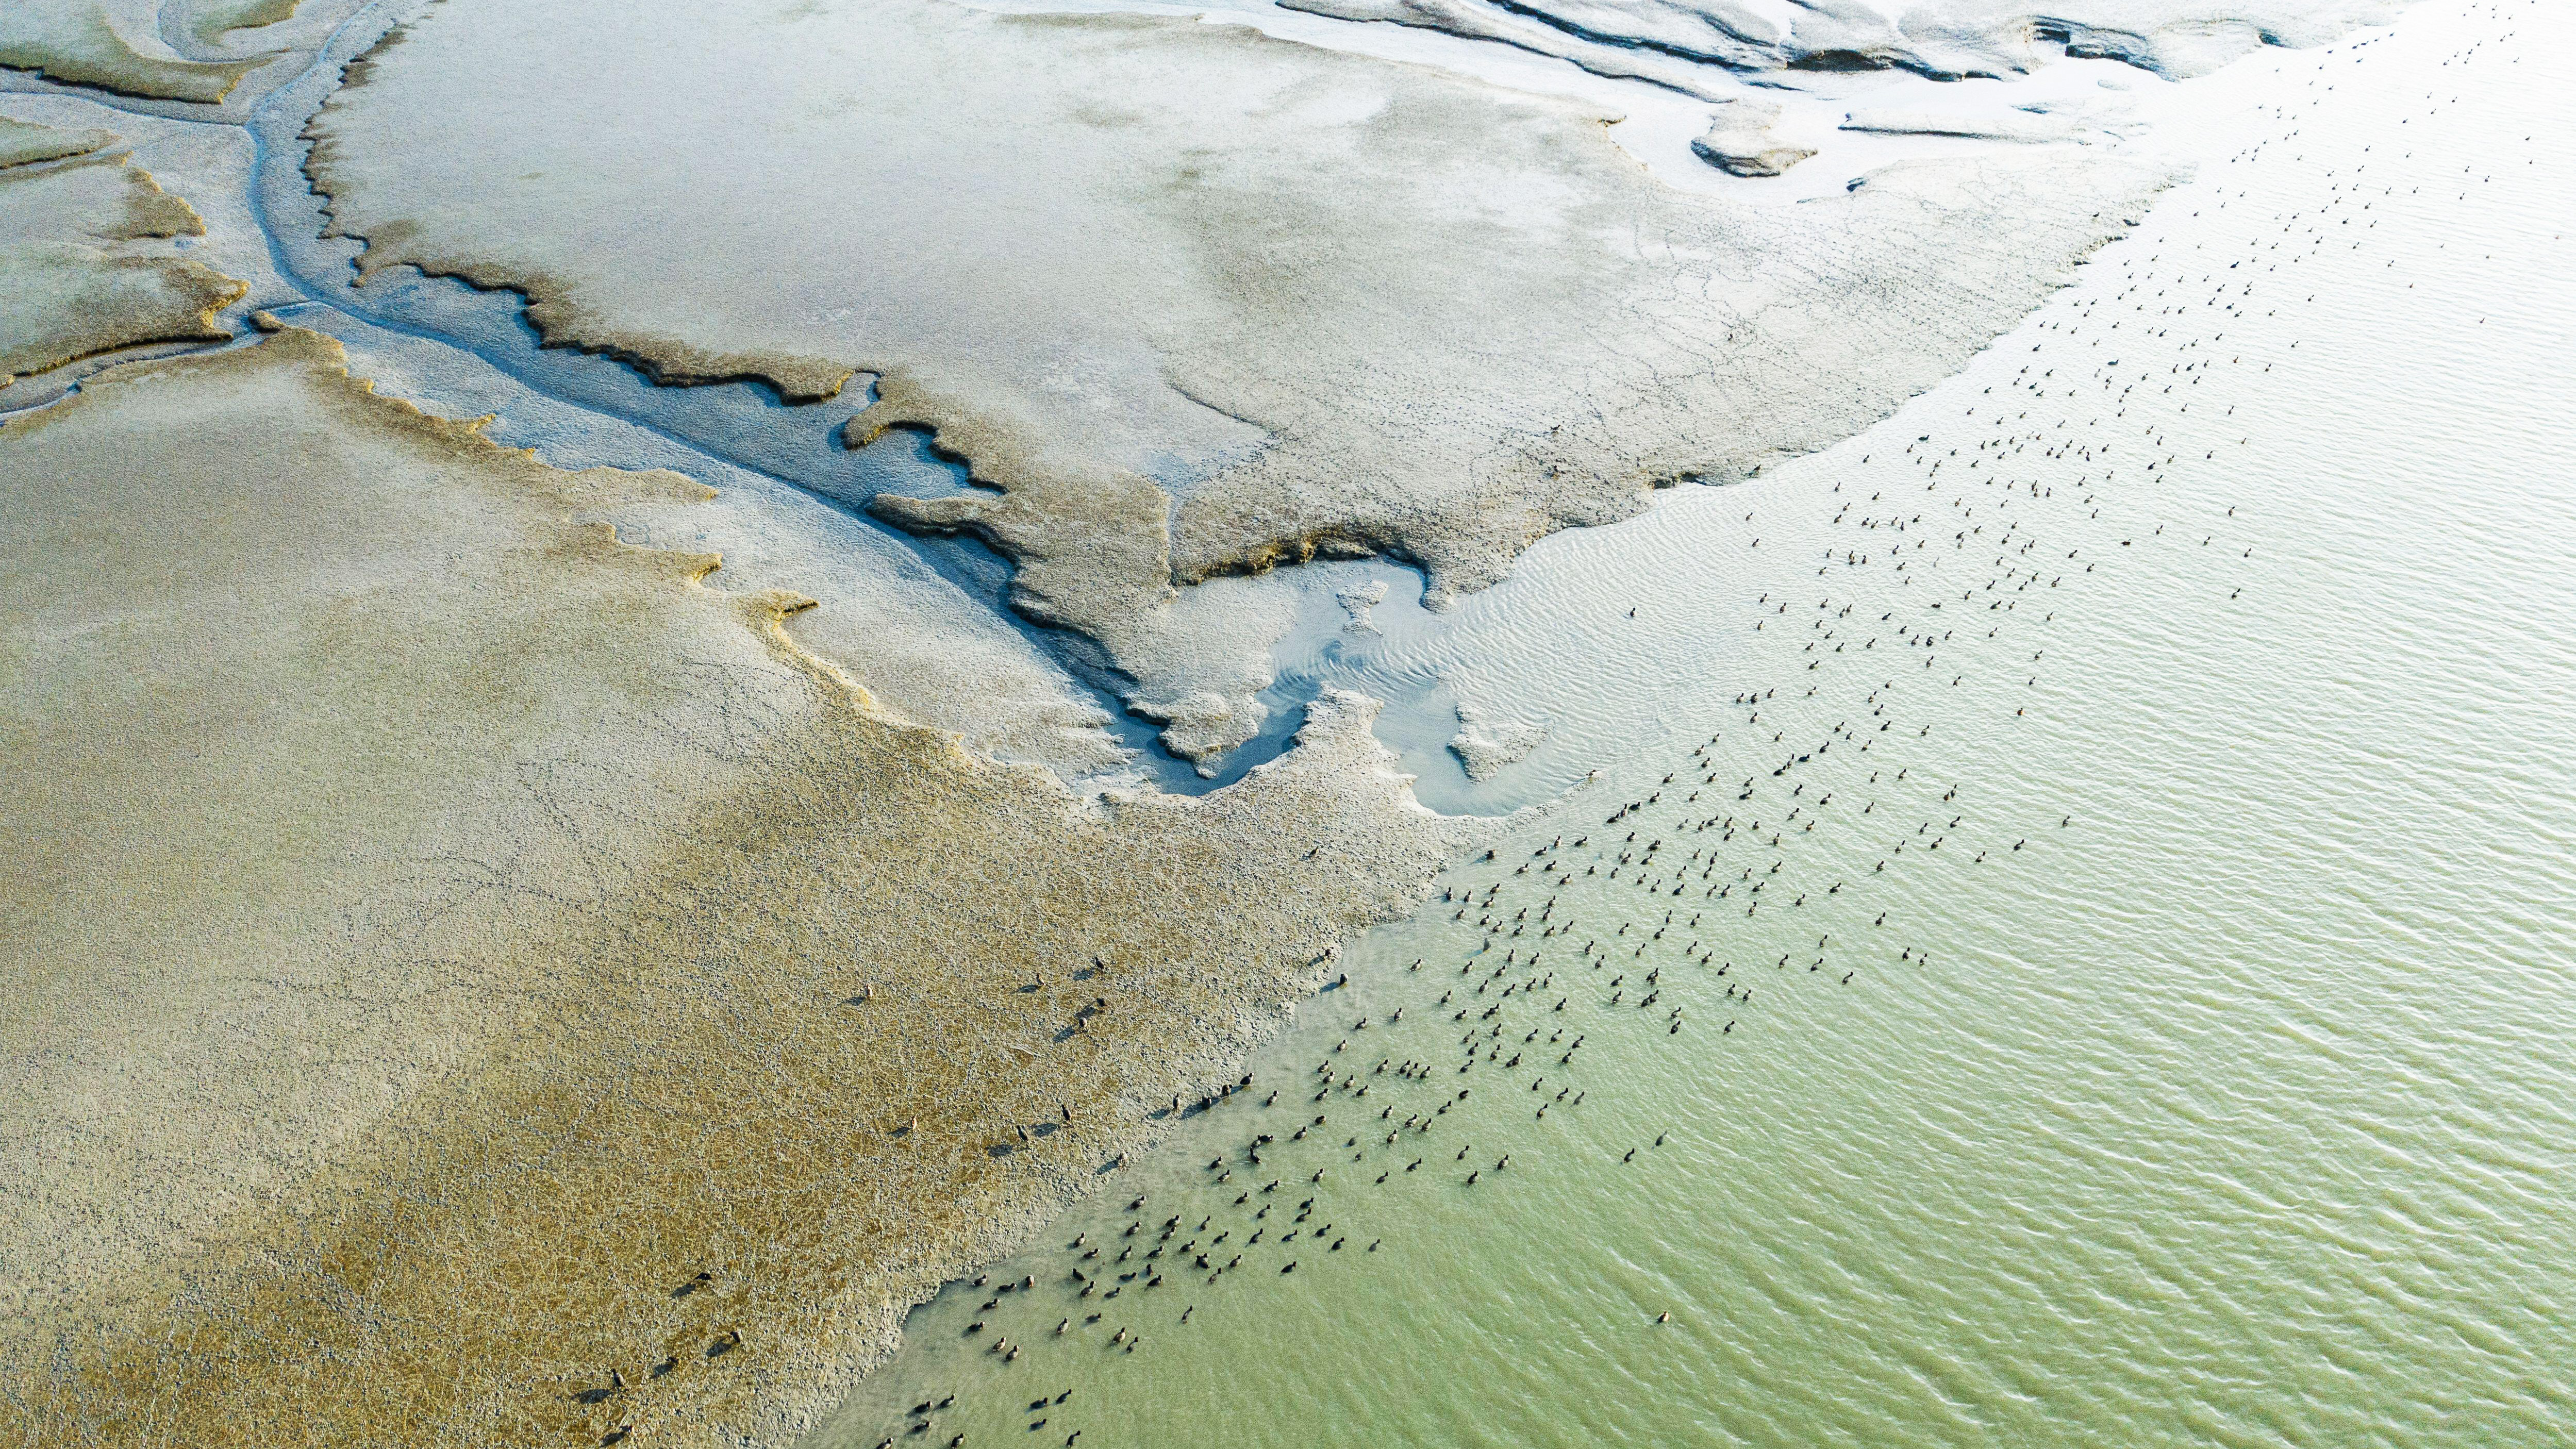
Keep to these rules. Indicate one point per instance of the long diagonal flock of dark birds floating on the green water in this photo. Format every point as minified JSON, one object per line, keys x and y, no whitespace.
{"x":1761,"y":866}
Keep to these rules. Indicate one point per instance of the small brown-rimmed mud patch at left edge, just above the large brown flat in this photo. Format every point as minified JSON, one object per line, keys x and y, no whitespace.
{"x":73,"y":279}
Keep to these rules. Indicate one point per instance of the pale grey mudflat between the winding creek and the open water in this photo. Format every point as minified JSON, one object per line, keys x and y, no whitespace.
{"x":1325,"y":302}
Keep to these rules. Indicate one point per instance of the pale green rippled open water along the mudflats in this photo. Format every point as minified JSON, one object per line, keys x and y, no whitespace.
{"x":2165,"y":1033}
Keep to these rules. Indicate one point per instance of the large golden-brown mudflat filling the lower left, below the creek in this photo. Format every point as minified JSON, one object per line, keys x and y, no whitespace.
{"x":442,"y":933}
